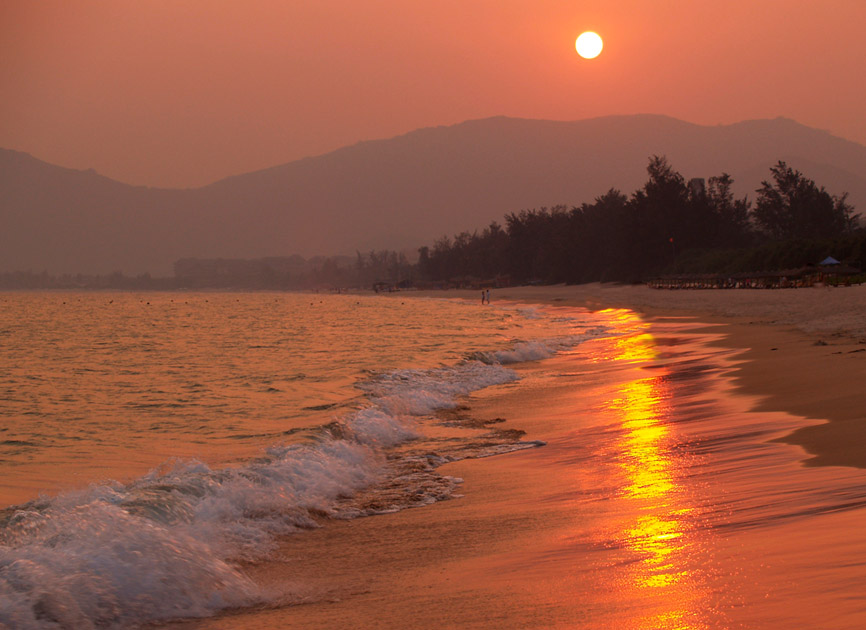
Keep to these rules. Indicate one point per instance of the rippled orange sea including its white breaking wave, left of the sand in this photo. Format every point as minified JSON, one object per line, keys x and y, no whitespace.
{"x":152,"y":442}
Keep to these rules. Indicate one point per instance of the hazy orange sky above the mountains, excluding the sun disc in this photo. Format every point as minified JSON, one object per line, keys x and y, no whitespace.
{"x":184,"y":92}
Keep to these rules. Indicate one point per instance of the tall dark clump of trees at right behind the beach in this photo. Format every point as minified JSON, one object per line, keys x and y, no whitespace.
{"x":666,"y":226}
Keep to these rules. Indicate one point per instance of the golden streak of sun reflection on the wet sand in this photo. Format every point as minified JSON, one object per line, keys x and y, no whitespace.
{"x":658,"y":532}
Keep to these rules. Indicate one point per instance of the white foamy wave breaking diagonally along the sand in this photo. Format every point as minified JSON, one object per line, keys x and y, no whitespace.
{"x":167,"y":544}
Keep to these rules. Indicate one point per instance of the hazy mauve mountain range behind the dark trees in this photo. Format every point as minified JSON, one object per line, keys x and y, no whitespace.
{"x":395,"y":193}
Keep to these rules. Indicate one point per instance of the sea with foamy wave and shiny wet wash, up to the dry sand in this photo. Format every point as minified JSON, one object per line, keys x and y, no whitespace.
{"x":270,"y":460}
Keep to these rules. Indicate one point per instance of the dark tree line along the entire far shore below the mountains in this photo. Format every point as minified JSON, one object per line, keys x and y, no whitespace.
{"x":668,"y":225}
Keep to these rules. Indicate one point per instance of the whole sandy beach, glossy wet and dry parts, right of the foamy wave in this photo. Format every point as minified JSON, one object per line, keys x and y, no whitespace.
{"x":702,"y":471}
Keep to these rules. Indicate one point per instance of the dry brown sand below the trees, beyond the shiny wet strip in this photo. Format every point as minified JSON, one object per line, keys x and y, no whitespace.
{"x":803,"y":351}
